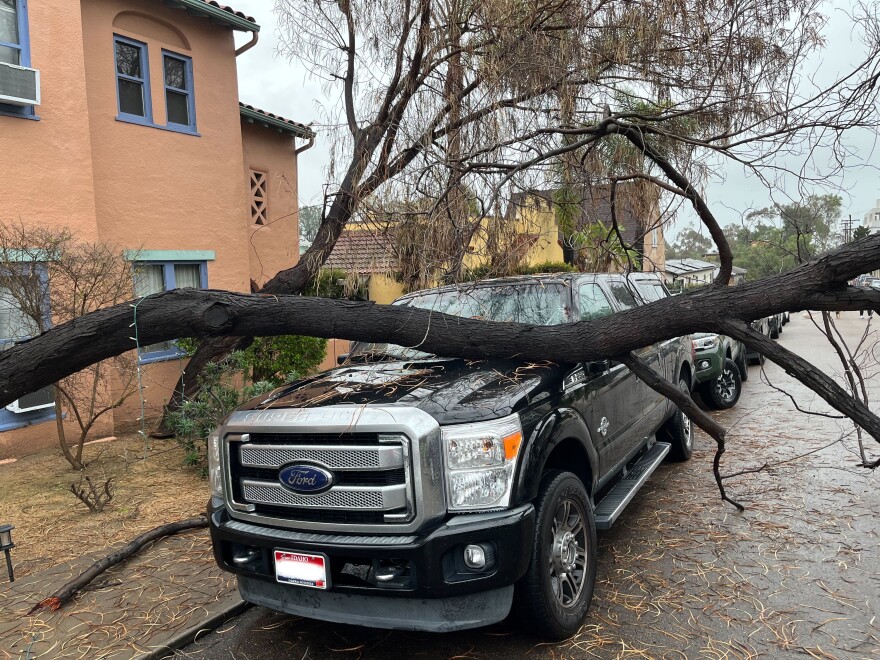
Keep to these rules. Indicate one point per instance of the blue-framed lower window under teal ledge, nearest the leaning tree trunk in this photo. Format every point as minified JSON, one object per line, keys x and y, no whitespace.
{"x":158,"y":276}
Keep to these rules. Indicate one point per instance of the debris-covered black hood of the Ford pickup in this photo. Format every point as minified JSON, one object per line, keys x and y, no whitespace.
{"x":450,"y":390}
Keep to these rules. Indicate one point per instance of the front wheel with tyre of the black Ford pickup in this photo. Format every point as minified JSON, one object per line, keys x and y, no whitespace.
{"x":553,"y":597}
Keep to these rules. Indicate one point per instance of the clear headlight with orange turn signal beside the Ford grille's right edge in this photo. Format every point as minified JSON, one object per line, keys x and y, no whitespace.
{"x":480,"y":463}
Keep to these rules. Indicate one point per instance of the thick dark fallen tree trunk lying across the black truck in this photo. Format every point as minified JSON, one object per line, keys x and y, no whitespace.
{"x":820,"y":284}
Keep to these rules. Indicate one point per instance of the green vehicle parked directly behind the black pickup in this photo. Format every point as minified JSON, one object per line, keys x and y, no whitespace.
{"x":720,"y":368}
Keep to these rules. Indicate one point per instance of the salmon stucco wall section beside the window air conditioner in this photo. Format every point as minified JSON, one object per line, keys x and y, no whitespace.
{"x":61,"y":194}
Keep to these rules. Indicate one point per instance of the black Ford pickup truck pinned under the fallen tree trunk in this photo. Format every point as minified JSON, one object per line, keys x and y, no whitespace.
{"x":412,"y":491}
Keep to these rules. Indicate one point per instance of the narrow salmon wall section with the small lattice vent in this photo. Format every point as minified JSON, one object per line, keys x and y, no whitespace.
{"x":275,"y":245}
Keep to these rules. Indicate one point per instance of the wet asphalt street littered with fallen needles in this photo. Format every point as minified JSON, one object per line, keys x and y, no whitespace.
{"x":683,"y":575}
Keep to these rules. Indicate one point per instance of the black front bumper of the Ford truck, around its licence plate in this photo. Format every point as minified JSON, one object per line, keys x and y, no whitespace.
{"x":374,"y":579}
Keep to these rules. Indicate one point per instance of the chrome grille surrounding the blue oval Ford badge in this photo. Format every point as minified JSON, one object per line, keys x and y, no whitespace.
{"x":384,"y":463}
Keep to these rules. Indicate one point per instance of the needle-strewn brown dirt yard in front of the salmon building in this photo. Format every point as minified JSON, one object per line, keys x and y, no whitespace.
{"x":53,"y":526}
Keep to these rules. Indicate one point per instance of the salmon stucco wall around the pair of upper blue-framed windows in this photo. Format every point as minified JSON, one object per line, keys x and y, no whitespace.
{"x":157,"y":189}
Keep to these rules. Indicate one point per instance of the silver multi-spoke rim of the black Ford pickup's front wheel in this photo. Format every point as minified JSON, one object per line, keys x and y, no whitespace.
{"x":568,"y":554}
